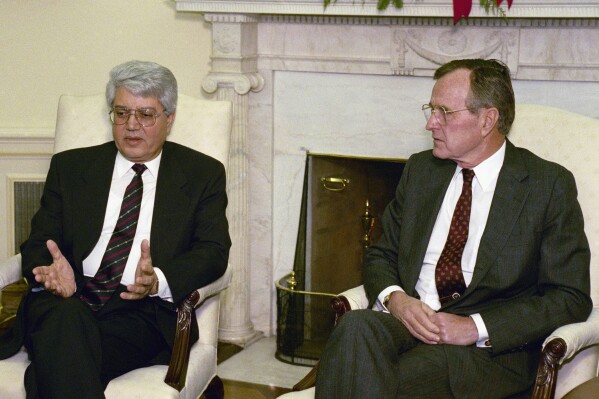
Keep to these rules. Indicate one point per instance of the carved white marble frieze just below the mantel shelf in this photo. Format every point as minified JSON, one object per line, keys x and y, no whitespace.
{"x":533,"y":49}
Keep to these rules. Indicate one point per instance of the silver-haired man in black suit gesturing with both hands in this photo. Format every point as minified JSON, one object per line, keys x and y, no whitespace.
{"x":76,"y":342}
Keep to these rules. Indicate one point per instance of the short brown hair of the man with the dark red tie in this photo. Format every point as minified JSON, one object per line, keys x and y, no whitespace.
{"x":490,"y":86}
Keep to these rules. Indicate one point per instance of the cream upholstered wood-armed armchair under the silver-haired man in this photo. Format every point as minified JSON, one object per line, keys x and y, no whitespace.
{"x":202,"y":125}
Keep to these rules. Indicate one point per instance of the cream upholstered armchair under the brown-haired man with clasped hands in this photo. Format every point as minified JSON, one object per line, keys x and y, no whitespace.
{"x":571,"y":353}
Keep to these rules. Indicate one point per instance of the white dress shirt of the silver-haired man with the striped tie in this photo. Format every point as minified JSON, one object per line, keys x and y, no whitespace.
{"x":121,"y":177}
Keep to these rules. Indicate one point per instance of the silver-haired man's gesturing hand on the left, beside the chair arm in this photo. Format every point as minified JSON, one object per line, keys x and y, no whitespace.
{"x":58,"y":278}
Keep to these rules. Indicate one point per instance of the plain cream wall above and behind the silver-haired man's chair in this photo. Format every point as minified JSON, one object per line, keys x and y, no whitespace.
{"x":51,"y":47}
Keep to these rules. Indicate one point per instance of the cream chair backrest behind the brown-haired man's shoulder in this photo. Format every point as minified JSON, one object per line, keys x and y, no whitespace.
{"x":571,"y":140}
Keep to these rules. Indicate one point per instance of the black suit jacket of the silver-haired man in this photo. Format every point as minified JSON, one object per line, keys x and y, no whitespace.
{"x":189,"y":238}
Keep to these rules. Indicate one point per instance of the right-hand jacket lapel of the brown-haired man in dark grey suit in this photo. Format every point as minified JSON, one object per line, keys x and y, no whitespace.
{"x":510,"y":195}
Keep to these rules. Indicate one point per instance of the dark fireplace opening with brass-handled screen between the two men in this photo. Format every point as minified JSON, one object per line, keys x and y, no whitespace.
{"x":343,"y":199}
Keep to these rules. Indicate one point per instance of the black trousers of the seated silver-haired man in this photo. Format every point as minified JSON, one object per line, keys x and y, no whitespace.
{"x":75,"y":352}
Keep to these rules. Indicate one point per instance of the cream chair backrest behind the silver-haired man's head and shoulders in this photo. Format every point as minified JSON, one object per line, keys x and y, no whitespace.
{"x":203,"y":125}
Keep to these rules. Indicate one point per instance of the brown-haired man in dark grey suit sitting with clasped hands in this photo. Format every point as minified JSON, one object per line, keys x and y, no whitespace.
{"x":522,"y":269}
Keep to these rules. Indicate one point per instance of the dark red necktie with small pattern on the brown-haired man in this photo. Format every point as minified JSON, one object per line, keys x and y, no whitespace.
{"x":448,"y":273}
